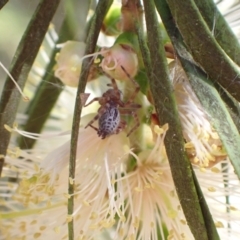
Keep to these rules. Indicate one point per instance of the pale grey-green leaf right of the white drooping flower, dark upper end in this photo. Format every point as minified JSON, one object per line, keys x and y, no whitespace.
{"x":206,"y":92}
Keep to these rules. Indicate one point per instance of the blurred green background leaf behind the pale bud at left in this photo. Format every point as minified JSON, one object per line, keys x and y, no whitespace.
{"x":50,"y":88}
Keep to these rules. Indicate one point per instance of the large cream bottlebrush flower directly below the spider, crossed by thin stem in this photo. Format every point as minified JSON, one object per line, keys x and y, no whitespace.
{"x":38,"y":209}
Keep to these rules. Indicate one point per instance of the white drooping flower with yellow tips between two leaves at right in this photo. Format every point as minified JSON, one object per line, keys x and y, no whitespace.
{"x":203,"y":144}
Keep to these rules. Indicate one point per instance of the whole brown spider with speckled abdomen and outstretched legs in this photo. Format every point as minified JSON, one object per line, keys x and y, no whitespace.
{"x":111,"y":108}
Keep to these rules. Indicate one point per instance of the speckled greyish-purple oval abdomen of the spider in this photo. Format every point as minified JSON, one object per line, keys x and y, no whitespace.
{"x":108,"y":122}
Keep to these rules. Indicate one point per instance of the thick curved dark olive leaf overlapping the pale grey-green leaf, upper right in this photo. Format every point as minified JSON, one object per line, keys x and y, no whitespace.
{"x":203,"y":46}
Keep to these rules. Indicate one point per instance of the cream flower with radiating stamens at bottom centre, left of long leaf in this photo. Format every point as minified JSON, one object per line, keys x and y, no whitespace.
{"x":151,"y":201}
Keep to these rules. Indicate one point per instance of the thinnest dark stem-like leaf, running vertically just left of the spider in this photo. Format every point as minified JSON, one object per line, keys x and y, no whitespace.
{"x":95,"y":27}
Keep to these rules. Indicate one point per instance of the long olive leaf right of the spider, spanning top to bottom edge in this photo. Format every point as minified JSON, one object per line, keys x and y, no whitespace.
{"x":167,"y":112}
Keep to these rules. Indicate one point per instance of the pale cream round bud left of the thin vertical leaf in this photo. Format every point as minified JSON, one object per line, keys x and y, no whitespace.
{"x":69,"y":63}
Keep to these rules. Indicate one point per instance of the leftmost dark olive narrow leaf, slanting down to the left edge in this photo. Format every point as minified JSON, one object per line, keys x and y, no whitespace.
{"x":21,"y":65}
